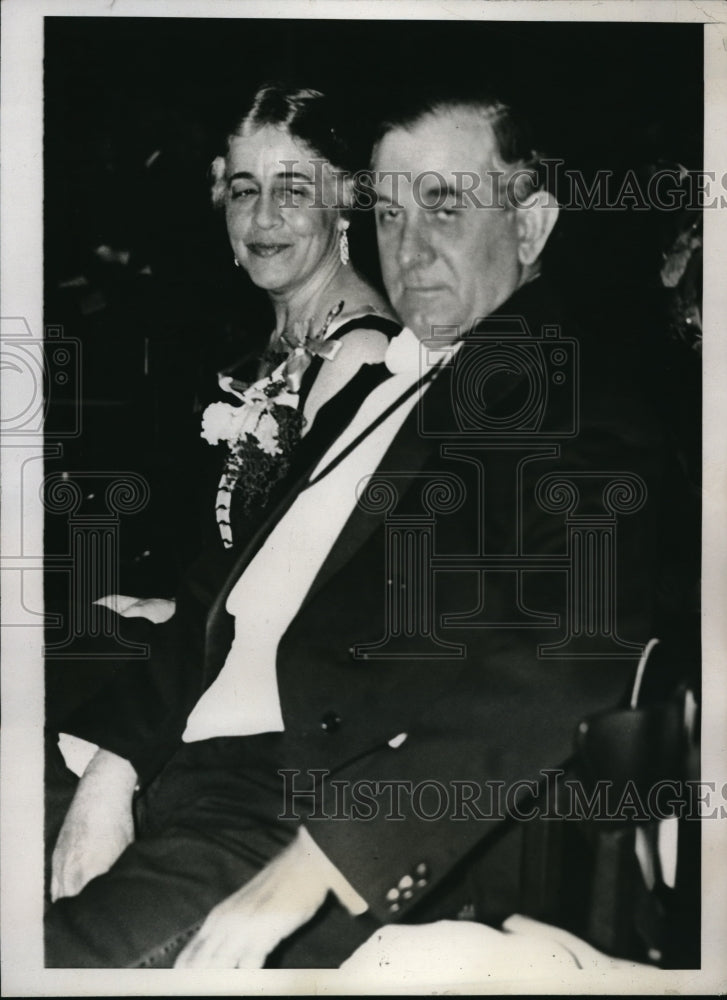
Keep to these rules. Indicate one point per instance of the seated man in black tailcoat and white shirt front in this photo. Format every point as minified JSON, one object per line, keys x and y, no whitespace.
{"x":426,"y":640}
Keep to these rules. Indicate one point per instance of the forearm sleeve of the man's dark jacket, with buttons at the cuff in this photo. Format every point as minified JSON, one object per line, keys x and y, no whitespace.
{"x":397,"y":821}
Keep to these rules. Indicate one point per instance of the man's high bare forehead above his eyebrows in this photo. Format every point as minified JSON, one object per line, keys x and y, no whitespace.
{"x":449,"y":142}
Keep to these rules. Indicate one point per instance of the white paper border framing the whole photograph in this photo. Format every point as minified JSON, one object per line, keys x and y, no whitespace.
{"x":22,"y":297}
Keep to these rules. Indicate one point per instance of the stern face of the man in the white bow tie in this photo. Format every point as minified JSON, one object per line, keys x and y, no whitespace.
{"x":445,"y":260}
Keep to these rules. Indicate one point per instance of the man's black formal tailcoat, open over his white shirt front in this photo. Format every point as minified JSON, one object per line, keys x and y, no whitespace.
{"x":481,"y":537}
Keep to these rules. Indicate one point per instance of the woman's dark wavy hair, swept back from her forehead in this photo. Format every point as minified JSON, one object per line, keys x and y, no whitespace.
{"x":309,"y":116}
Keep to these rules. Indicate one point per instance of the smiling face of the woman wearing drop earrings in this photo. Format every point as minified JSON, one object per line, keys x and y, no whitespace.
{"x":278,"y":228}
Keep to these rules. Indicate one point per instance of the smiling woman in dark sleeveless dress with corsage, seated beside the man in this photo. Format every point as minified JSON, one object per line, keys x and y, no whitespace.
{"x":285,"y":185}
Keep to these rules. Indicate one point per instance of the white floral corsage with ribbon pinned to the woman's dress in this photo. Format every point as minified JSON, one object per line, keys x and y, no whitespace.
{"x":262,"y":431}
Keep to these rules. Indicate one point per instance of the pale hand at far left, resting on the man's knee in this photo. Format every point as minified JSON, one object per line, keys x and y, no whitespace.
{"x":98,"y":826}
